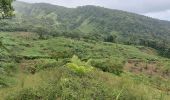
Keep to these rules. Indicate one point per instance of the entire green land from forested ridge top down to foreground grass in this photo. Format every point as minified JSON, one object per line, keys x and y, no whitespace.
{"x":49,"y":52}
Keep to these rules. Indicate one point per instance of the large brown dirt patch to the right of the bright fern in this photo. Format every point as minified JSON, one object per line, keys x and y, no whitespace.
{"x":151,"y":68}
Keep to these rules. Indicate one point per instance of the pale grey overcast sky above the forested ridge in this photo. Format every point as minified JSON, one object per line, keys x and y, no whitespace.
{"x":154,"y":8}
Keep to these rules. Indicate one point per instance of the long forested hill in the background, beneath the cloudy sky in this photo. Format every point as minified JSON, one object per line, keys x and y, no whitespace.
{"x":91,"y":22}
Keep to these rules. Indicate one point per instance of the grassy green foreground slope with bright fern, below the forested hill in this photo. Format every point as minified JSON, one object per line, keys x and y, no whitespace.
{"x":62,"y":68}
